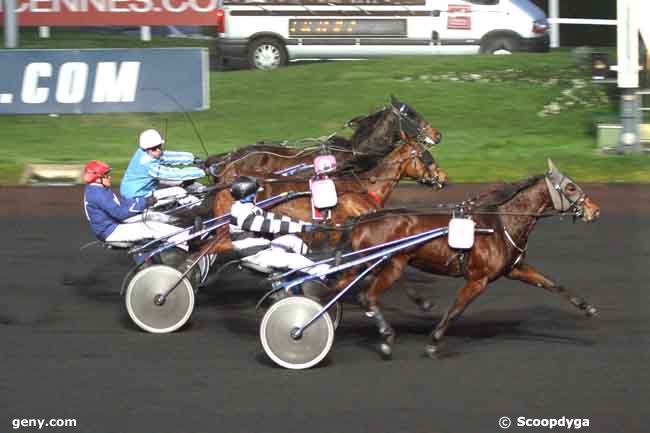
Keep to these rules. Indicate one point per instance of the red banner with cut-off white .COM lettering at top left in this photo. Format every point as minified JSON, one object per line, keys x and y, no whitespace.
{"x":114,"y":12}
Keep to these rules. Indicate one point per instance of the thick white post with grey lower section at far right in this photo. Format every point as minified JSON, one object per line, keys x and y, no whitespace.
{"x":627,"y":42}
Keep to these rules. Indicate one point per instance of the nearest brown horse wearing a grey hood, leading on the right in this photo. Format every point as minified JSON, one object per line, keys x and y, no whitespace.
{"x":511,"y":211}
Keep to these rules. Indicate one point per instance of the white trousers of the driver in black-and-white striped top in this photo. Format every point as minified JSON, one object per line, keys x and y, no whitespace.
{"x":277,"y":256}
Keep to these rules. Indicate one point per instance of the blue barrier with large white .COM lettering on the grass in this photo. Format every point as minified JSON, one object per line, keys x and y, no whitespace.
{"x":104,"y":81}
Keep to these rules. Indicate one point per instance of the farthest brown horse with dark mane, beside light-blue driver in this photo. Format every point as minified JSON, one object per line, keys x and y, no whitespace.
{"x":376,"y":132}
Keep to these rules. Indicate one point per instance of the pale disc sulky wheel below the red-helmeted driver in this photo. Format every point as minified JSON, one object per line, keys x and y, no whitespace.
{"x":148,"y":310}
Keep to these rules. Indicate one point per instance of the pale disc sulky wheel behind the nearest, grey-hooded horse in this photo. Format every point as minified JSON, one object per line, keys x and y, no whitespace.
{"x":288,"y":351}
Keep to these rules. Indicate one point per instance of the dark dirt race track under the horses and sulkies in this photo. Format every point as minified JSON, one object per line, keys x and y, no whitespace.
{"x":70,"y":351}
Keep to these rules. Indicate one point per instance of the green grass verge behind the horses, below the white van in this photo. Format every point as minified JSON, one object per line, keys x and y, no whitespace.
{"x":501,"y":116}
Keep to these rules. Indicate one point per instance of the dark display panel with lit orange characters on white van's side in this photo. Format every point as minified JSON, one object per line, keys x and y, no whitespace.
{"x":347,"y":27}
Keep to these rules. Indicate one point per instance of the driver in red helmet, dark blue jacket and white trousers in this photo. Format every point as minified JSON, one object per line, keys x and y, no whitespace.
{"x":118,"y":219}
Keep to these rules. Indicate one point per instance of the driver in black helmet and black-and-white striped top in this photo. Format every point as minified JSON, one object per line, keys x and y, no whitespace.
{"x":251,"y":227}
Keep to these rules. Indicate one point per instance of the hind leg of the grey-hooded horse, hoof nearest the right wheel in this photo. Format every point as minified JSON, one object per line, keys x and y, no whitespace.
{"x":389,"y":273}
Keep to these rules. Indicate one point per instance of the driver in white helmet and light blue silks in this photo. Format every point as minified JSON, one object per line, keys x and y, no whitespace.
{"x":150,"y":165}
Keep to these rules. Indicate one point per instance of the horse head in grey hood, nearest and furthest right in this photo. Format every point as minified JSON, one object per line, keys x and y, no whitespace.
{"x":567,"y":196}
